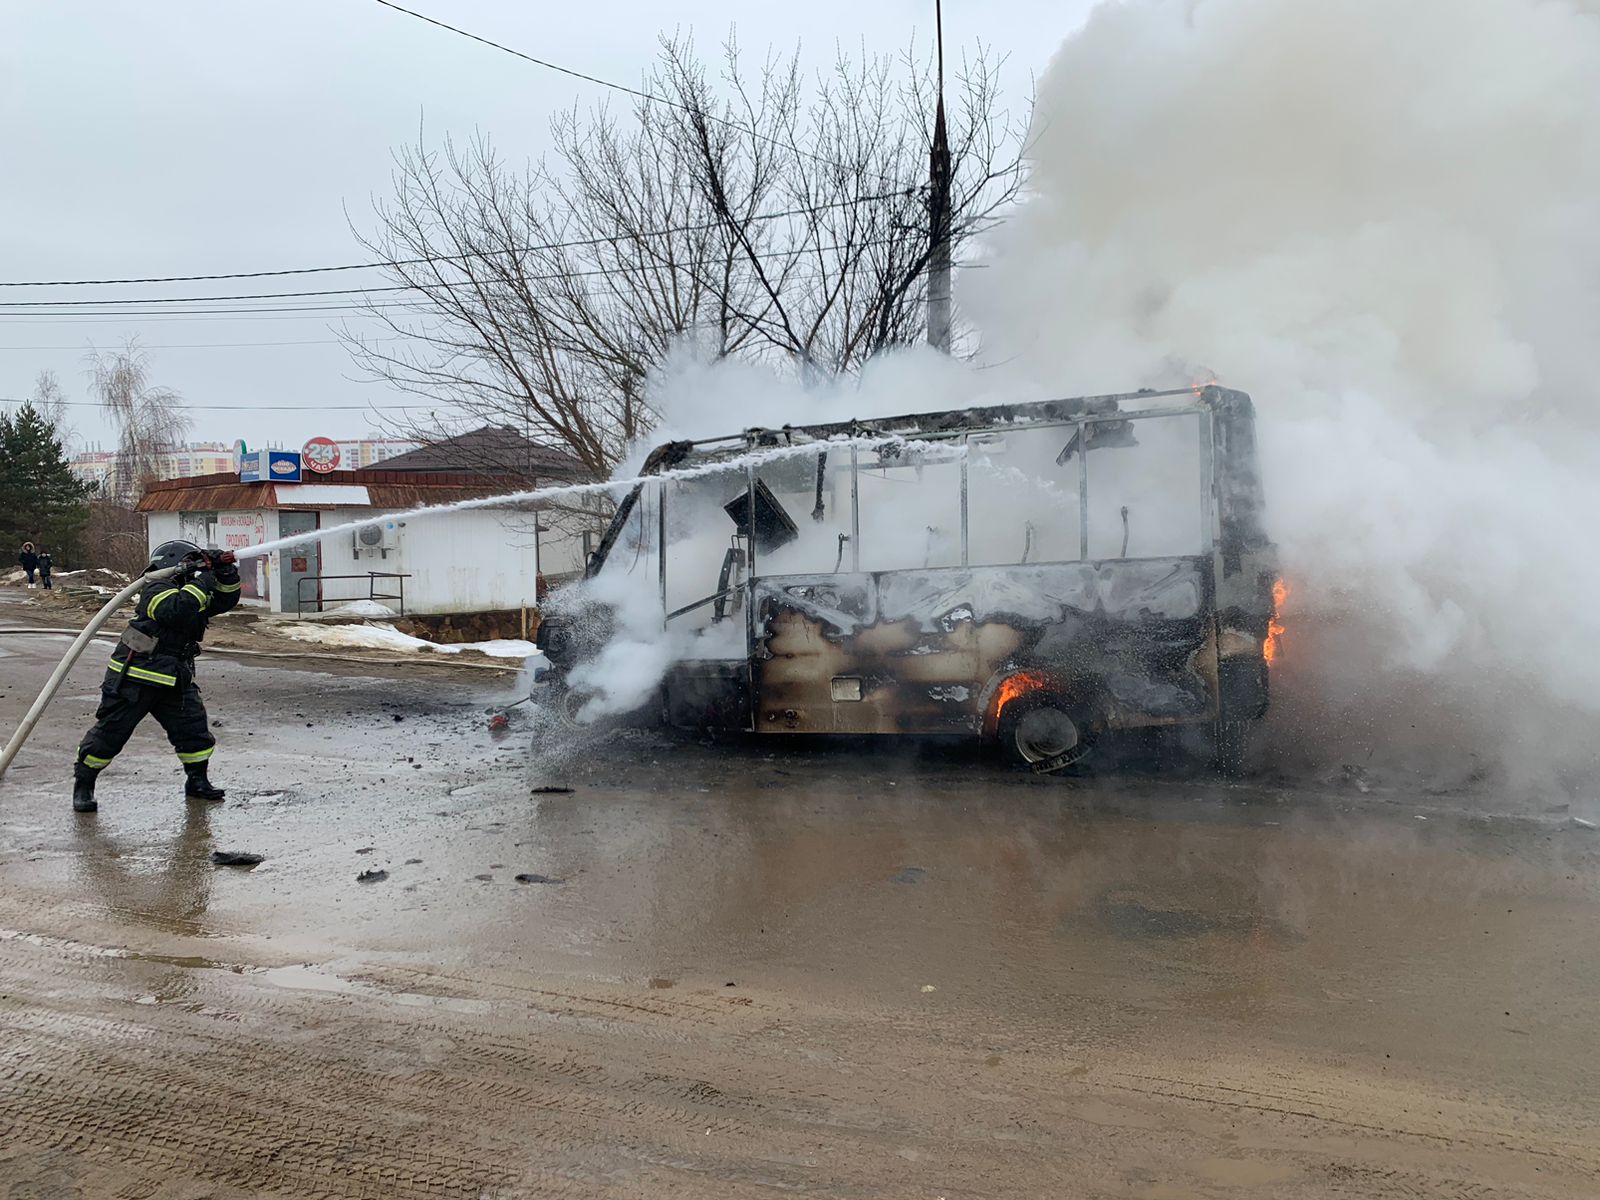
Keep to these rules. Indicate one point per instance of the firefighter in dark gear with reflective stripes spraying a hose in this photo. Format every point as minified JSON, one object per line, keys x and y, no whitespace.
{"x":153,"y":670}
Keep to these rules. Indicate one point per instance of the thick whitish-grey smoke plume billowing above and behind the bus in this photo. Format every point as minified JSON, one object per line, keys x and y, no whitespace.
{"x":1382,"y":220}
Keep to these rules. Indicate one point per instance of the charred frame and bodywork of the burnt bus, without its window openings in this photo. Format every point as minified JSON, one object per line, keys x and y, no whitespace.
{"x":1126,"y":644}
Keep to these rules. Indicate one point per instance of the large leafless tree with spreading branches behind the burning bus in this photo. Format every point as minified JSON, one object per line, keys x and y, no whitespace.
{"x":769,"y":217}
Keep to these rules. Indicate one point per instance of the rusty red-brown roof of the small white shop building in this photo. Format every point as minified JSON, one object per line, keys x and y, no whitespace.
{"x":385,"y":490}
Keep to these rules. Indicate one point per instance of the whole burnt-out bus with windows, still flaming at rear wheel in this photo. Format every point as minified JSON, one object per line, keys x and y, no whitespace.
{"x":1031,"y":575}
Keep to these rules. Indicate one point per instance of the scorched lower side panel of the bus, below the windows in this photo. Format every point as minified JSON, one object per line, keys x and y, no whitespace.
{"x":918,"y":652}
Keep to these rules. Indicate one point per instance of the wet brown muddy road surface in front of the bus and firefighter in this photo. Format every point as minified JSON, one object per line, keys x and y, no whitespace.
{"x":758,"y":969}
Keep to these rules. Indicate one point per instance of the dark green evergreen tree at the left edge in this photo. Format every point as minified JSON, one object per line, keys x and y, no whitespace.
{"x":41,"y":500}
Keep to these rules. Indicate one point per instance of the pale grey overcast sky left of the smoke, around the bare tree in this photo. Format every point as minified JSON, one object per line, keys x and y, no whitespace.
{"x":198,"y":137}
